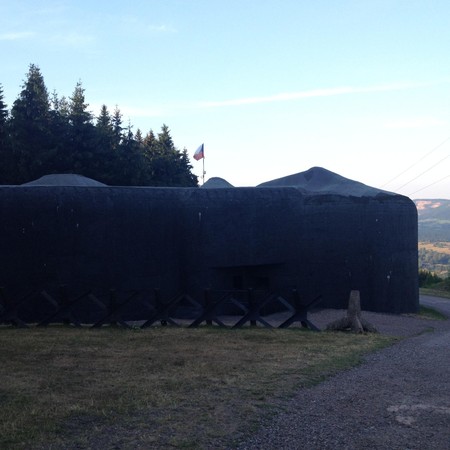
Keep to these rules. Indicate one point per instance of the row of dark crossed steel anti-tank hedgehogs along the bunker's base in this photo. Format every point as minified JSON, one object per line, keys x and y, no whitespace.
{"x":235,"y":308}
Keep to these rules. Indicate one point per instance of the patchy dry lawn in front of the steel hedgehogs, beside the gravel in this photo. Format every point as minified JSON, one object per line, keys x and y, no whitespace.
{"x":157,"y":388}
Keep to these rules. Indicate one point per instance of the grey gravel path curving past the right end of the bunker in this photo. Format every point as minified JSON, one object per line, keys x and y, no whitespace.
{"x":399,"y":399}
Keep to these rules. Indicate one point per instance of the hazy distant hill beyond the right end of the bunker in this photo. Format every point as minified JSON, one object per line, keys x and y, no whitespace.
{"x":434,"y":219}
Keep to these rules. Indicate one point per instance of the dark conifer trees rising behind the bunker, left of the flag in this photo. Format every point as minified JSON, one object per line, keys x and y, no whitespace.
{"x":44,"y":134}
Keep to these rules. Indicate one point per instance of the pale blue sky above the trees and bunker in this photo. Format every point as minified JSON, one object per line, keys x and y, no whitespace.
{"x":271,"y":87}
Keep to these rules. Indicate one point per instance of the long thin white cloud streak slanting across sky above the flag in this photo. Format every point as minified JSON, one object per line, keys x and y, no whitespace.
{"x":300,"y":95}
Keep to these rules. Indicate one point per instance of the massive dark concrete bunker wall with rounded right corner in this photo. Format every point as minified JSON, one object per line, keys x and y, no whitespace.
{"x":187,"y":239}
